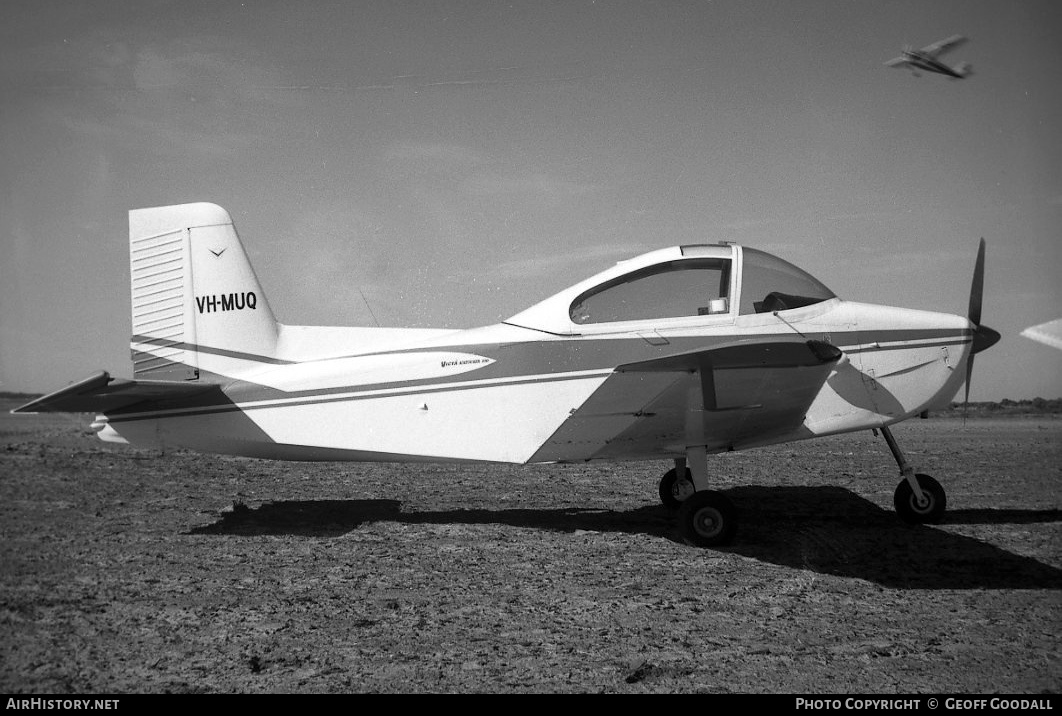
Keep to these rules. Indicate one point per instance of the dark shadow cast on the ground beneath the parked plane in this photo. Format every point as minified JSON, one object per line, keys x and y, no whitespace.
{"x":830,"y":531}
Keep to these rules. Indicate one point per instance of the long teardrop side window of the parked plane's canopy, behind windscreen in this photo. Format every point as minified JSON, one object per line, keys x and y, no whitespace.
{"x":692,"y":287}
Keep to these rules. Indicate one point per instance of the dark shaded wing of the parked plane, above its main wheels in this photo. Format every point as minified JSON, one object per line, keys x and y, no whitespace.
{"x":749,"y":390}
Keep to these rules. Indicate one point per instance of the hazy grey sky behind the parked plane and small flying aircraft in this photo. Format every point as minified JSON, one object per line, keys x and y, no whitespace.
{"x":448,"y":164}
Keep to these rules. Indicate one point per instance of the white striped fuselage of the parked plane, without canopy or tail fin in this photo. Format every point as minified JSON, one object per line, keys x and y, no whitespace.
{"x":509,"y":394}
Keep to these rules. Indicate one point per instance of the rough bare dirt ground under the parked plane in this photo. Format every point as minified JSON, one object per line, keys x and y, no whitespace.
{"x":128,"y":571}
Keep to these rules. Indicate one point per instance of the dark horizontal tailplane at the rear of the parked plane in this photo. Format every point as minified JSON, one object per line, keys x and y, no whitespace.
{"x":101,"y":394}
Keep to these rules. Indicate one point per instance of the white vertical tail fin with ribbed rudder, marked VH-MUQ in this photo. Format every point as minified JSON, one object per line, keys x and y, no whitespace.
{"x":197,"y":303}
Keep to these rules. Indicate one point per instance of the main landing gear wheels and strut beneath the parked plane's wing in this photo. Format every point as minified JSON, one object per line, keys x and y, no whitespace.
{"x":707,"y":519}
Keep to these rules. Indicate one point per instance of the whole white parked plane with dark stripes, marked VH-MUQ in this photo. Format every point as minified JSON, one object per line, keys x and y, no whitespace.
{"x":674,"y":355}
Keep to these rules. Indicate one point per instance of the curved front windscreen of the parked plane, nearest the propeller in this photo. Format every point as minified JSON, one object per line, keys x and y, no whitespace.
{"x":769,"y":284}
